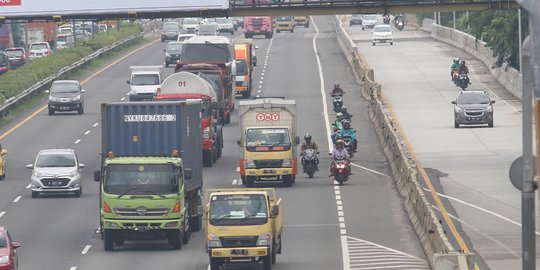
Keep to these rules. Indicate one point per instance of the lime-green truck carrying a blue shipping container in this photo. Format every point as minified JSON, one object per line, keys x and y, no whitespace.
{"x":151,"y":172}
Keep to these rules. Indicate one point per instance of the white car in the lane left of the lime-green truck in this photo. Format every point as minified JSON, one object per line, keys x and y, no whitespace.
{"x":56,"y":171}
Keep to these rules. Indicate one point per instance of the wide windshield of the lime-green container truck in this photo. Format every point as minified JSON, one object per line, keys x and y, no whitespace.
{"x":140,"y":179}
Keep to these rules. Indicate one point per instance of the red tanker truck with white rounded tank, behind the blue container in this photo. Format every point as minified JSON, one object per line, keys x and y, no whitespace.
{"x":185,"y":86}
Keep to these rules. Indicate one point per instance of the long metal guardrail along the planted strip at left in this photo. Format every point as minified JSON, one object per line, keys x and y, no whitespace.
{"x":39,"y":85}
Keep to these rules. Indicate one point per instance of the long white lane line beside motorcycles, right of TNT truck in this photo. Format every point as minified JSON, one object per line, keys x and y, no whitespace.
{"x":344,"y":247}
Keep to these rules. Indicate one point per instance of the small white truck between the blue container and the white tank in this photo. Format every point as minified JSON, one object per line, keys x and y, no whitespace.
{"x":143,"y":82}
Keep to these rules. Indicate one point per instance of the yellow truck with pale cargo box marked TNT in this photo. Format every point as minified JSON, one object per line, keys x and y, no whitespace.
{"x":268,"y":140}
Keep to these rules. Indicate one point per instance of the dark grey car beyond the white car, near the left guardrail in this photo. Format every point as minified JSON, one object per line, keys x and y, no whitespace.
{"x":66,"y":95}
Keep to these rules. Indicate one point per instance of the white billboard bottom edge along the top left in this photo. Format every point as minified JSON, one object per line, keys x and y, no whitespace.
{"x":90,"y":7}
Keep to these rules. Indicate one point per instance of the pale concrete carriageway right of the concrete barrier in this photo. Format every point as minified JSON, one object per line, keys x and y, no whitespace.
{"x":469,"y":165}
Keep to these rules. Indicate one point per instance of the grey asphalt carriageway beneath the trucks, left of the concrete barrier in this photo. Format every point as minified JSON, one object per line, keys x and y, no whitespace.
{"x":361,"y":225}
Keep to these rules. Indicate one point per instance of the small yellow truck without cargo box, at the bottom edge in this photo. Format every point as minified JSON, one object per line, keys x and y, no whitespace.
{"x":243,"y":225}
